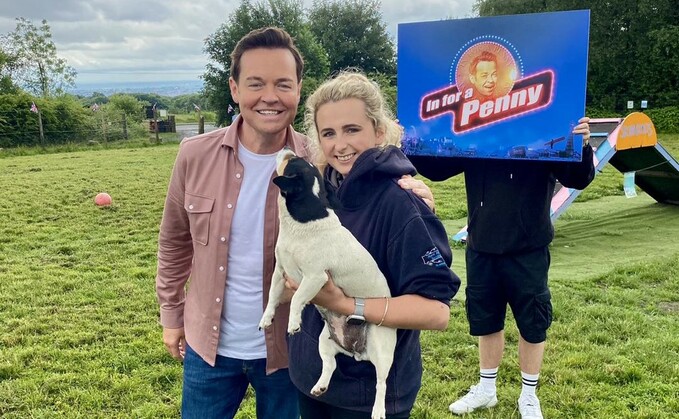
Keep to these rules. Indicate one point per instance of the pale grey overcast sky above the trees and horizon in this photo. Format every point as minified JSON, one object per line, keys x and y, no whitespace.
{"x":144,"y":40}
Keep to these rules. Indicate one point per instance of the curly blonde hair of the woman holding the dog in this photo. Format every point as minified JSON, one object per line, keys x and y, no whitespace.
{"x":350,"y":84}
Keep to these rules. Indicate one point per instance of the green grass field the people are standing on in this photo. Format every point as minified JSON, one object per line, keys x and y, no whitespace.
{"x":78,"y":318}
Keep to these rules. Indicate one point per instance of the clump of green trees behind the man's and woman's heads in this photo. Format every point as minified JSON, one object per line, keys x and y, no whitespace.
{"x":331,"y":35}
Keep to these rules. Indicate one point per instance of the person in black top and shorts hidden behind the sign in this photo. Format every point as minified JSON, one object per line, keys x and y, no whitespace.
{"x":507,"y":258}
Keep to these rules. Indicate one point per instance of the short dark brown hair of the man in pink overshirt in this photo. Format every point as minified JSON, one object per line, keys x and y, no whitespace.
{"x":271,"y":38}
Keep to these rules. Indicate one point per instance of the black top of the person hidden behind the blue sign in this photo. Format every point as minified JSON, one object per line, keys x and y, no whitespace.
{"x":508,"y":201}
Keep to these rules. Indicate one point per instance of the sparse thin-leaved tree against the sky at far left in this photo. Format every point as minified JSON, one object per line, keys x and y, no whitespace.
{"x":36,"y":66}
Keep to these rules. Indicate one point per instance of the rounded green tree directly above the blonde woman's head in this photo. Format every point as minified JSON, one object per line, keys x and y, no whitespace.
{"x":354,"y":35}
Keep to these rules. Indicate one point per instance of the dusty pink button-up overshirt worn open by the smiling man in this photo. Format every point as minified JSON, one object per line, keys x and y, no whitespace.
{"x":194,"y":241}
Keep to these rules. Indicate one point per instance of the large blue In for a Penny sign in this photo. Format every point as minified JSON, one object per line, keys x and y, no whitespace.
{"x":506,"y":87}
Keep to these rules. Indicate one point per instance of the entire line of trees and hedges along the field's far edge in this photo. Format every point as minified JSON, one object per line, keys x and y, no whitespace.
{"x":633,"y":55}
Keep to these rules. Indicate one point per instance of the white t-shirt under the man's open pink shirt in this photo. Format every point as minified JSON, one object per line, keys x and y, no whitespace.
{"x":240,"y":336}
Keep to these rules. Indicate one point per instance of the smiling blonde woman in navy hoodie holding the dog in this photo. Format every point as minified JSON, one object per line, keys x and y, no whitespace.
{"x":355,"y":140}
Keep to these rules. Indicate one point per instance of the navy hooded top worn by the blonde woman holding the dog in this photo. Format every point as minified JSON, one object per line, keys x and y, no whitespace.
{"x":411,"y":248}
